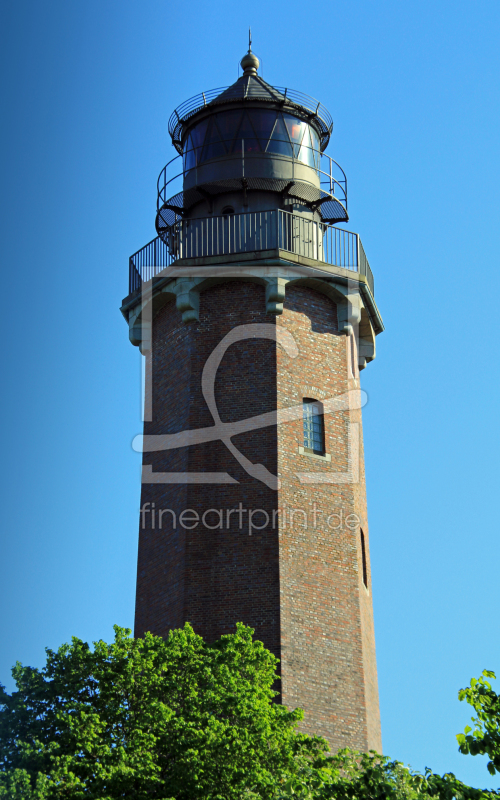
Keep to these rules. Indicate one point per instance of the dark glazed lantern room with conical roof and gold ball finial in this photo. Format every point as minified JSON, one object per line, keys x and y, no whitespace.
{"x":250,"y":147}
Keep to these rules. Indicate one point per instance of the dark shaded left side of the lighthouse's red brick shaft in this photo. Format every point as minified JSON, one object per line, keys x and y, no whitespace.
{"x":222,"y":576}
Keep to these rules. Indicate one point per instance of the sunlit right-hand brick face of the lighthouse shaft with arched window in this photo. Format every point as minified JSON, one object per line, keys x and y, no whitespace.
{"x":327,"y":642}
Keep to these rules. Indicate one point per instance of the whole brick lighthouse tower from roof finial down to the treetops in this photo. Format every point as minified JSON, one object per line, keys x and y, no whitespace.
{"x":255,"y":315}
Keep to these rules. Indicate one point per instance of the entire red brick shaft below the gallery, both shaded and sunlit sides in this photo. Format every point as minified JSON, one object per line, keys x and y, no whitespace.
{"x":300,"y":588}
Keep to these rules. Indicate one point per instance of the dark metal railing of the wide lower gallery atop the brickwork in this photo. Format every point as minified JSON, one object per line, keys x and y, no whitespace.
{"x":250,"y":232}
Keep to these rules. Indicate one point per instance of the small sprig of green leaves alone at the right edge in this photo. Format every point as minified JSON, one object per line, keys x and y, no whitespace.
{"x":485,"y":738}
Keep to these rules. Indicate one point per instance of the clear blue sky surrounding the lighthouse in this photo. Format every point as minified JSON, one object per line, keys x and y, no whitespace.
{"x":413,"y":90}
